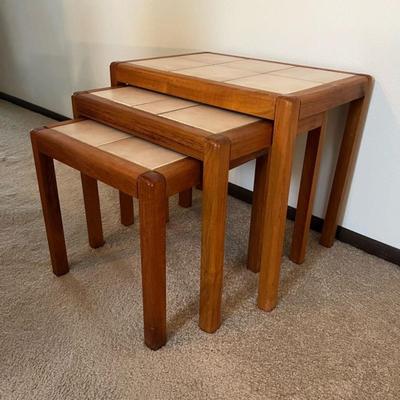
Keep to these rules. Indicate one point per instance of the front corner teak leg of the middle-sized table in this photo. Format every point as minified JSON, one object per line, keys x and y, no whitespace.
{"x":215,"y":188}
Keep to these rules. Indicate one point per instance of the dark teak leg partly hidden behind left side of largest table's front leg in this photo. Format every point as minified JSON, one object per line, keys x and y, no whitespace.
{"x":257,"y":211}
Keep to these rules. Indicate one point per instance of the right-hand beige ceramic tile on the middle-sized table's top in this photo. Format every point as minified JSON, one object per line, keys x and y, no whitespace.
{"x":211,"y":119}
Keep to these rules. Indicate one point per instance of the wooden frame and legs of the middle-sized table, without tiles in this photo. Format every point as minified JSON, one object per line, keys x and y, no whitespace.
{"x":219,"y":153}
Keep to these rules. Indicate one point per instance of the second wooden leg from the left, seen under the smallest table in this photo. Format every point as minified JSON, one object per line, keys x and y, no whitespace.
{"x":92,"y":211}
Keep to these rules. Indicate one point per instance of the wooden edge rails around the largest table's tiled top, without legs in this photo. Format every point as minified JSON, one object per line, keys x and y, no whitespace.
{"x":331,"y":94}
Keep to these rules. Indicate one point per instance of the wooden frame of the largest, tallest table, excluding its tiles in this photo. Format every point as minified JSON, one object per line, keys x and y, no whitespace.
{"x":288,"y":113}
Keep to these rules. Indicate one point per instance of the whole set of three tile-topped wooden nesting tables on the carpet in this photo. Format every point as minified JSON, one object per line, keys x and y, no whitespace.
{"x":167,"y":124}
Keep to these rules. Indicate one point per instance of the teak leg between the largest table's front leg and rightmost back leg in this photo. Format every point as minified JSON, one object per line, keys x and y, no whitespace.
{"x":308,"y":184}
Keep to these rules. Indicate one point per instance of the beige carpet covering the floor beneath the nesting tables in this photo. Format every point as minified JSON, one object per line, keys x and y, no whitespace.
{"x":334,"y":335}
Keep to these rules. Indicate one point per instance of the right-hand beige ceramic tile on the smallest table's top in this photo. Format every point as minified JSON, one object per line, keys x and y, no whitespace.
{"x":143,"y":153}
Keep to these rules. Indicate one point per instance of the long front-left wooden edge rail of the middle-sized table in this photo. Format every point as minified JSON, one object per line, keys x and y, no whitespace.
{"x":162,"y":131}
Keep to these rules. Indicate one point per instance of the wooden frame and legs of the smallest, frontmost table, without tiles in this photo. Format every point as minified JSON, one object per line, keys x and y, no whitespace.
{"x":151,"y":187}
